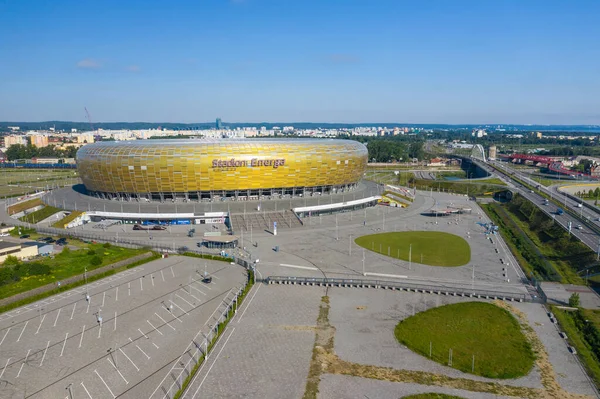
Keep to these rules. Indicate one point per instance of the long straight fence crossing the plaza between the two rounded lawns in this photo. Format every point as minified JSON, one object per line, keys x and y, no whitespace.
{"x":430,"y":288}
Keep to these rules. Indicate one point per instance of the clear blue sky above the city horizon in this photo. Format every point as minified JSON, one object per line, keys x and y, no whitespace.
{"x":311,"y":60}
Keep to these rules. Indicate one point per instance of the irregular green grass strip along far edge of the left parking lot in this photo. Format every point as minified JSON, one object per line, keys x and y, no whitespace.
{"x":69,"y":263}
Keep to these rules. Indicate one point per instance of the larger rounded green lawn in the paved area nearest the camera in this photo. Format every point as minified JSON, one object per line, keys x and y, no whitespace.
{"x":489,"y":333}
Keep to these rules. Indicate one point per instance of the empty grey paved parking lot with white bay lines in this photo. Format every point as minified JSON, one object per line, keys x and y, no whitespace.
{"x":120,"y":342}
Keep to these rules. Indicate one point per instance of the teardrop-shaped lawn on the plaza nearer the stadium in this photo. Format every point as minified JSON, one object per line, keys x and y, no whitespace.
{"x":428,"y":247}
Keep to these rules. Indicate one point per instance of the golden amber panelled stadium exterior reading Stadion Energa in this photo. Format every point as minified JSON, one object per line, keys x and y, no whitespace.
{"x":255,"y":169}
